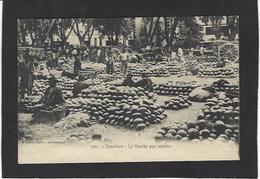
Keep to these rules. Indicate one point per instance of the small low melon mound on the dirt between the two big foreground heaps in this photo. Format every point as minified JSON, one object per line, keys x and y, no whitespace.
{"x":177,"y":102}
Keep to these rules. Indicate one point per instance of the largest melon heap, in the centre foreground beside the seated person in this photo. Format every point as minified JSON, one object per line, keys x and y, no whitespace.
{"x":124,"y":106}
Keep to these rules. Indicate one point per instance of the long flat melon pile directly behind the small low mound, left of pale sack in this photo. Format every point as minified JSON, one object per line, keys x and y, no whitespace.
{"x":173,"y":89}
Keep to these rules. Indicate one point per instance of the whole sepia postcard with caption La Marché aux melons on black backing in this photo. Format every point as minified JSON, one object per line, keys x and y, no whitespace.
{"x":128,"y":89}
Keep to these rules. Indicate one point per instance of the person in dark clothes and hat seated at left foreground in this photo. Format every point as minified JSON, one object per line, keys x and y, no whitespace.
{"x":52,"y":96}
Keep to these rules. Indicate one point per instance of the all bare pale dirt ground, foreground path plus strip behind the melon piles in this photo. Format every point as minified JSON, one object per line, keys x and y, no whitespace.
{"x":47,"y":132}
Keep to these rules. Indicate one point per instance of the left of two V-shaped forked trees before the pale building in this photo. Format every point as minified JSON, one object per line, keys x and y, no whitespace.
{"x":63,"y":28}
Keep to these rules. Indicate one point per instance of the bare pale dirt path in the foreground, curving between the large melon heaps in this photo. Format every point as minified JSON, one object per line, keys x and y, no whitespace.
{"x":47,"y":132}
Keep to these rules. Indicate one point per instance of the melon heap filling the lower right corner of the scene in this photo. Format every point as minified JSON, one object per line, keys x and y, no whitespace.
{"x":219,"y":119}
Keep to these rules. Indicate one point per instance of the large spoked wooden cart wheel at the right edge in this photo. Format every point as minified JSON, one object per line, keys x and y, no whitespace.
{"x":228,"y":52}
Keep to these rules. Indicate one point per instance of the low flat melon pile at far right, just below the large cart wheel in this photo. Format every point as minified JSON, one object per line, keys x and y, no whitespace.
{"x":217,"y":73}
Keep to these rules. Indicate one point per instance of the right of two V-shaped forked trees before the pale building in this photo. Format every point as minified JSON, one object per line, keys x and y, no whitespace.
{"x":83,"y":27}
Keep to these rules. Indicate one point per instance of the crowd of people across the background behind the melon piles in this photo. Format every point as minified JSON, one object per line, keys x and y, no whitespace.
{"x":28,"y":62}
